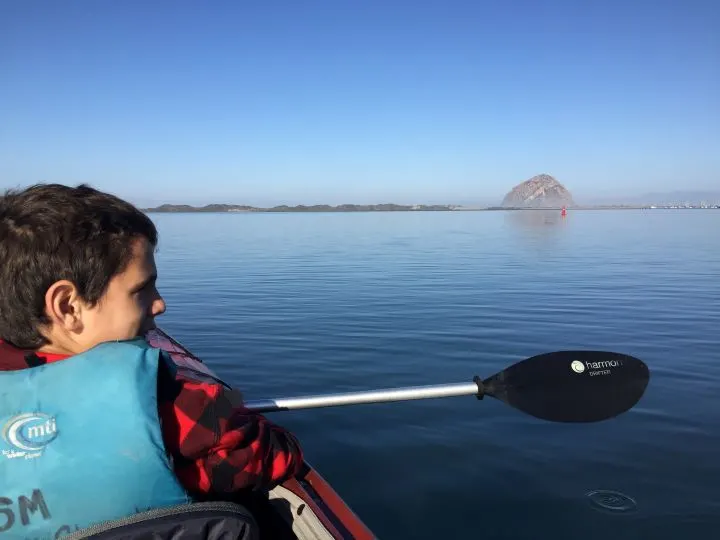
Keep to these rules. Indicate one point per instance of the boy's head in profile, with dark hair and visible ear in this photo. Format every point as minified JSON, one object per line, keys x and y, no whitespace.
{"x":77,"y":268}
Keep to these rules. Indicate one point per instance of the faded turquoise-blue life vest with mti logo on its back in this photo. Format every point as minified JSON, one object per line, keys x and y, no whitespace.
{"x":81,"y":442}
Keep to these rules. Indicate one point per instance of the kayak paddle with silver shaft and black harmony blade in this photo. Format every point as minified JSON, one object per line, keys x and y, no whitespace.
{"x":562,"y":386}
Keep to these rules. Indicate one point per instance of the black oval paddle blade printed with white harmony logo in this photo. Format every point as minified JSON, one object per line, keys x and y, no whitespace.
{"x":571,"y":386}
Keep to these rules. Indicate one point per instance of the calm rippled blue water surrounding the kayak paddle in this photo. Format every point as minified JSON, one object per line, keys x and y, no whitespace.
{"x":291,"y":304}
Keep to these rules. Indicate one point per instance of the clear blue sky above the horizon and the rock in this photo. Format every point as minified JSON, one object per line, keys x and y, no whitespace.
{"x":372,"y":101}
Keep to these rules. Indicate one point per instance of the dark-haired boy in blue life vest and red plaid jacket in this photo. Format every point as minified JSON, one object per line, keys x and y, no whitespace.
{"x":79,"y":388}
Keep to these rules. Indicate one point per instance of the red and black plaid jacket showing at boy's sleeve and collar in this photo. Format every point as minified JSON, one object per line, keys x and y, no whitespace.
{"x":218,"y":447}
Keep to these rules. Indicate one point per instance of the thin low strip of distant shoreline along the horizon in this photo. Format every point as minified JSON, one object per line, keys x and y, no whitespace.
{"x":348,"y":208}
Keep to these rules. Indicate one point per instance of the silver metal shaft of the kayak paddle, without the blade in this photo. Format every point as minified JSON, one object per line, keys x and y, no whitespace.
{"x":372,"y":396}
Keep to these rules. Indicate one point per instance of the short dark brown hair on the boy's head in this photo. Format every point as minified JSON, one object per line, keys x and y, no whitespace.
{"x":50,"y":232}
